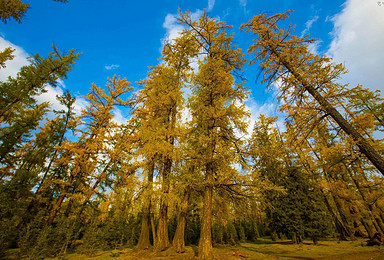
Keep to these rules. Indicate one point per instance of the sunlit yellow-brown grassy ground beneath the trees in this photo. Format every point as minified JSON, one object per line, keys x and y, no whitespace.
{"x":262,"y":249}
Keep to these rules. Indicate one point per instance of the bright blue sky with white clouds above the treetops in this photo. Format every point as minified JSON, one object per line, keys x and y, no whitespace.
{"x":125,"y":37}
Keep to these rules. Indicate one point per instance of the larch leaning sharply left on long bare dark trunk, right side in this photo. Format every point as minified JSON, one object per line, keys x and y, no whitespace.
{"x":287,"y":58}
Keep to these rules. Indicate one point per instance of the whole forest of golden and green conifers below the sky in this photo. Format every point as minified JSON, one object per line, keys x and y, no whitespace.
{"x":185,"y":170}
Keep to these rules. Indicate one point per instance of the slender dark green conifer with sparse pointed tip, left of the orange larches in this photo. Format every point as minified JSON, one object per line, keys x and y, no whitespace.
{"x":43,"y":153}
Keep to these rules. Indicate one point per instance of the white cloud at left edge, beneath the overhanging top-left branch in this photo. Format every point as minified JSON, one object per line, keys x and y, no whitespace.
{"x":12,"y":66}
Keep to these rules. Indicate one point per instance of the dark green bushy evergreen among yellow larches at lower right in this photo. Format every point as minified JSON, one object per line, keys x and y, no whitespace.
{"x":300,"y":211}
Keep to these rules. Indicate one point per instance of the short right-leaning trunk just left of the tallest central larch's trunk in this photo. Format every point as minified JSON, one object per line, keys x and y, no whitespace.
{"x":179,"y":240}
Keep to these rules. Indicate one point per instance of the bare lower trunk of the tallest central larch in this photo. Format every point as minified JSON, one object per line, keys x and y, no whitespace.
{"x":205,"y":242}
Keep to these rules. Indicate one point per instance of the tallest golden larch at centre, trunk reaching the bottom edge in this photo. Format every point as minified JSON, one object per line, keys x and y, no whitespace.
{"x":217,"y":109}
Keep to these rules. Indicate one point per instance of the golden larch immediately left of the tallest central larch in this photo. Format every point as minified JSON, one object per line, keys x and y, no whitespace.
{"x":161,"y":104}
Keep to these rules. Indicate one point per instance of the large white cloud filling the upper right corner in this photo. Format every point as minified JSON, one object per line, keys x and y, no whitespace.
{"x":358,"y":42}
